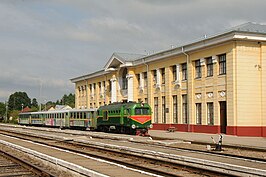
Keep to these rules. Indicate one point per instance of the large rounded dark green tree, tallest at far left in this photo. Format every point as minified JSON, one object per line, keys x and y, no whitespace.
{"x":17,"y":99}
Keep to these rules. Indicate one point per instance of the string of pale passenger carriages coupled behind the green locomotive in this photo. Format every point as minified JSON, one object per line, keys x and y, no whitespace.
{"x":74,"y":118}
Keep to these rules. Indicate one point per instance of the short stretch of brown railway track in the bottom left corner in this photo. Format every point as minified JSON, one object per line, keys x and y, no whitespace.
{"x":11,"y":165}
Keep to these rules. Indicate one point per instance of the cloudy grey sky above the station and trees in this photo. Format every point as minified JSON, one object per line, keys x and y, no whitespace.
{"x":45,"y":43}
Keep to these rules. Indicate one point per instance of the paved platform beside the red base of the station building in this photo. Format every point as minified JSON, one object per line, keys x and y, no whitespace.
{"x":240,"y":141}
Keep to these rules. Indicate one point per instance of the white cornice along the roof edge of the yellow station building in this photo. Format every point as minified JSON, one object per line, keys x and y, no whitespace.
{"x":190,"y":47}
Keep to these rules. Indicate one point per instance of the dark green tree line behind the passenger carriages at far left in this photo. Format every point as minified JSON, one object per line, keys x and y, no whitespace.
{"x":20,"y":100}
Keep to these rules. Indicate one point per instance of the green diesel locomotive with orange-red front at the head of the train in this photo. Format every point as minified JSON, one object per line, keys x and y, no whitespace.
{"x":130,"y":118}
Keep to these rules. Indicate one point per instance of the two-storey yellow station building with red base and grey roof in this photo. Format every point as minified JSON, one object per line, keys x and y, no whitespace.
{"x":213,"y":85}
